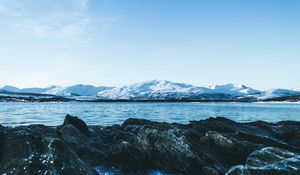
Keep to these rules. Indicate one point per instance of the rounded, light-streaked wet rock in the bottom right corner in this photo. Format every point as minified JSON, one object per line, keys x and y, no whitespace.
{"x":269,"y":160}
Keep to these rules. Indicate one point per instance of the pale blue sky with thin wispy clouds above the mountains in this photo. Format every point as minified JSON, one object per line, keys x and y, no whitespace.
{"x":119,"y":42}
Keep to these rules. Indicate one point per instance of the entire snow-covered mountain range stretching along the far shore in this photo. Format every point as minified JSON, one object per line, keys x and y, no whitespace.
{"x":159,"y":90}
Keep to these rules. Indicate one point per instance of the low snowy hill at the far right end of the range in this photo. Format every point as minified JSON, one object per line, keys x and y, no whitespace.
{"x":275,"y":93}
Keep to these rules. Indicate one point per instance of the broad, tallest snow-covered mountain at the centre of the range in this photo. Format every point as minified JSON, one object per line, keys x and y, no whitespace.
{"x":154,"y":89}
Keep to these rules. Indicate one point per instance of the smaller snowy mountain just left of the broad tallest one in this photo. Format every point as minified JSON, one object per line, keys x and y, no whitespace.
{"x":76,"y":90}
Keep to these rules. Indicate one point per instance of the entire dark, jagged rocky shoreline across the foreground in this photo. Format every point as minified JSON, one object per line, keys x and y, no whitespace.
{"x":213,"y":146}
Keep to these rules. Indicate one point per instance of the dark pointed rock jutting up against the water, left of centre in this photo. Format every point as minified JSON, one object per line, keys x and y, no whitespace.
{"x":78,"y":123}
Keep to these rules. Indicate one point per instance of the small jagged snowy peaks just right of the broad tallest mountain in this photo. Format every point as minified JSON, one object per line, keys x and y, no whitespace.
{"x":233,"y":90}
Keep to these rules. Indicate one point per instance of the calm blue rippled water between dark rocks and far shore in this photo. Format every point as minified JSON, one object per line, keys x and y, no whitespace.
{"x":114,"y":113}
